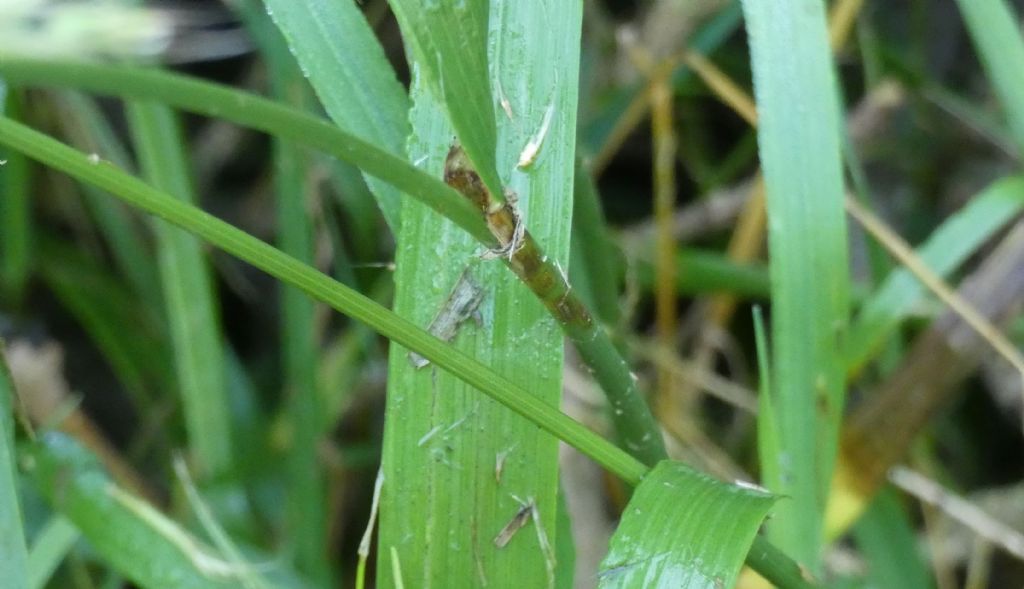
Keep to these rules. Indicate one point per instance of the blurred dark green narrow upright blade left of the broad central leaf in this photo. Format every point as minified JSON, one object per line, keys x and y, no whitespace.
{"x":307,"y":498}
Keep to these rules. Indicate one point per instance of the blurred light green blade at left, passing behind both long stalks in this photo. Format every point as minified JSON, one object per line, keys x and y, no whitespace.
{"x":191,"y":307}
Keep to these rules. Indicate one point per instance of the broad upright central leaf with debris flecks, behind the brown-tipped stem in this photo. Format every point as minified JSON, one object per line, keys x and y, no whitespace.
{"x":458,"y":468}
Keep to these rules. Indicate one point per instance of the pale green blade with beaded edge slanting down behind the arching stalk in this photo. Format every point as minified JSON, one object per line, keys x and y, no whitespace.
{"x":347,"y":66}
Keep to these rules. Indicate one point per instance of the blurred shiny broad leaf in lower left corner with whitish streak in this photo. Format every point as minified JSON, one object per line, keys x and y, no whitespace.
{"x":132,"y":536}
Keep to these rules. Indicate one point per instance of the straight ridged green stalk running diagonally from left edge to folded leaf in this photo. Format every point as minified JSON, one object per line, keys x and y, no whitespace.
{"x":50,"y":152}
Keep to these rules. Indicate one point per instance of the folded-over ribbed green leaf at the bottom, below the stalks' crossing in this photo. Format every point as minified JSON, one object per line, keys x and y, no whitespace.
{"x":684,"y":530}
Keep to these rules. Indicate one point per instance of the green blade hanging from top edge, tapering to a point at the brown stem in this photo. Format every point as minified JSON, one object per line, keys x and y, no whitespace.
{"x":449,"y":41}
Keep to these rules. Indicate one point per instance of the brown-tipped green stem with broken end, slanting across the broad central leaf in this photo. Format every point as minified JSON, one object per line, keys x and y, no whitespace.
{"x":634,"y":424}
